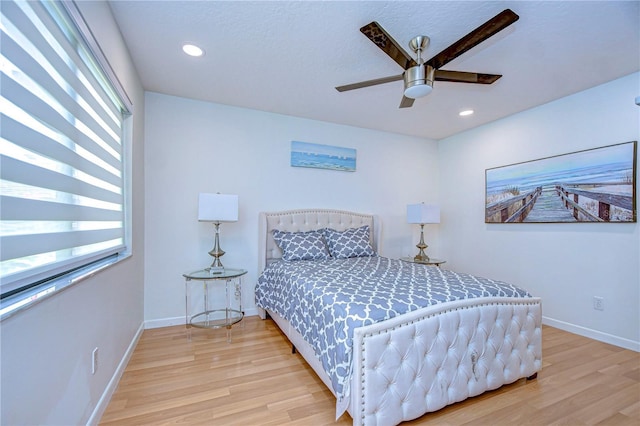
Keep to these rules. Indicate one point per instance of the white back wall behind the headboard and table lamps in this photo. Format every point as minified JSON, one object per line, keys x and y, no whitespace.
{"x":194,"y":147}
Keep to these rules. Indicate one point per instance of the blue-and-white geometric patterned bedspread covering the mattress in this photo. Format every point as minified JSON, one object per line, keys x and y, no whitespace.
{"x":326,"y":299}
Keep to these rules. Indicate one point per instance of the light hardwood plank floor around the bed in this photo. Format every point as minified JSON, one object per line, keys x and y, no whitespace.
{"x":255,"y":380}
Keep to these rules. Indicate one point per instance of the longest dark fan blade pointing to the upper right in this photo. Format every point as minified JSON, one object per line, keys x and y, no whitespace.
{"x":475,"y":37}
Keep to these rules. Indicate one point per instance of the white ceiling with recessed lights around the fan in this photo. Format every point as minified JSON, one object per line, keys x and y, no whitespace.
{"x":286,"y":57}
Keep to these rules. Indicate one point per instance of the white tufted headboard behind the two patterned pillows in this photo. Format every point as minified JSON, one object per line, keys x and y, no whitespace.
{"x":308,"y":220}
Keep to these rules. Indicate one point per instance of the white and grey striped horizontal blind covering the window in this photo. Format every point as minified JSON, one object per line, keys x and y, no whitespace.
{"x":61,"y":154}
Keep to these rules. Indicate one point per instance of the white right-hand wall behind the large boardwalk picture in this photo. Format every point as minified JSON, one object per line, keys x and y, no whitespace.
{"x":566,"y":264}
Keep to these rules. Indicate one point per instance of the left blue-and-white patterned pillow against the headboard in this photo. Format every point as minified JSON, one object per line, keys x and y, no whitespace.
{"x":301,"y":245}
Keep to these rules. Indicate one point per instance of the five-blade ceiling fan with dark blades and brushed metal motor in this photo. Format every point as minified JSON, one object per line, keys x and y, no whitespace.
{"x":418,"y":74}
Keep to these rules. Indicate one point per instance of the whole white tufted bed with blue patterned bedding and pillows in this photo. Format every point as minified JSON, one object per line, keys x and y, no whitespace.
{"x":403,"y":366}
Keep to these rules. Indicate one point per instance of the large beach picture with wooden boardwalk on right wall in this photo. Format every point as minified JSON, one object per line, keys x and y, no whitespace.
{"x":595,"y":185}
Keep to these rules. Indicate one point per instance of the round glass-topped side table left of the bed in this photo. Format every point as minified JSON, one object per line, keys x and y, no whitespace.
{"x":207,"y":316}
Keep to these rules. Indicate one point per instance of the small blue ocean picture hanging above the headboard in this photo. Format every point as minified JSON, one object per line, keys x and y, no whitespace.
{"x":305,"y":154}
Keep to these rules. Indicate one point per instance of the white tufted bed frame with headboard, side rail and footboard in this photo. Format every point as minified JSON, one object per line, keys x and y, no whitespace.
{"x":424,"y":360}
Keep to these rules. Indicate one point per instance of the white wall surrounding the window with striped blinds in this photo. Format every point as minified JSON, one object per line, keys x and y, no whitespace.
{"x":46,"y":349}
